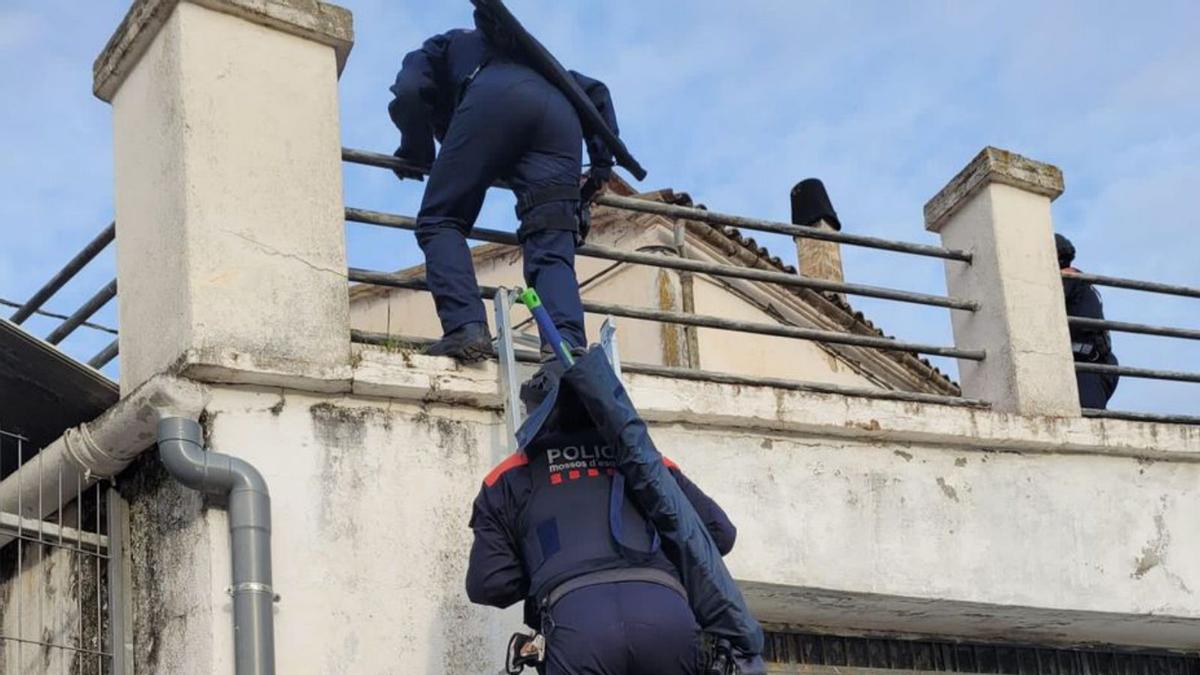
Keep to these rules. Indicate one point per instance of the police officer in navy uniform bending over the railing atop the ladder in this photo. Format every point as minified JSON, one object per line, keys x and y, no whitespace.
{"x":496,"y":120}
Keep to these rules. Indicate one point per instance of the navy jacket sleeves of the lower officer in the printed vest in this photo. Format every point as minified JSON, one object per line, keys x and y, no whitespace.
{"x":497,"y":576}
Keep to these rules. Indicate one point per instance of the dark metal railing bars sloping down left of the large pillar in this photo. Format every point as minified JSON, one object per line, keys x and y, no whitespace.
{"x":81,"y":316}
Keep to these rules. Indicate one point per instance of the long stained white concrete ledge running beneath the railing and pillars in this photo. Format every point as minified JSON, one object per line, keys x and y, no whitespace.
{"x":409,"y":377}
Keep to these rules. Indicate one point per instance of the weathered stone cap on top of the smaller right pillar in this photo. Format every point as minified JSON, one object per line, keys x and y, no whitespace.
{"x":993,"y":165}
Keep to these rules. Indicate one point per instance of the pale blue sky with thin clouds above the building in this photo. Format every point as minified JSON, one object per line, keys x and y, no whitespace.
{"x":733,"y":103}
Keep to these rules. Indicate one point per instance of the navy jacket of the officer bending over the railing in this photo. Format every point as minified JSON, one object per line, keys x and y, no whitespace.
{"x":431,"y":85}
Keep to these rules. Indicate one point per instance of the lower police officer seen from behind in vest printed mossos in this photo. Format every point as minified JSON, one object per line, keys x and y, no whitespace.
{"x":553,"y":530}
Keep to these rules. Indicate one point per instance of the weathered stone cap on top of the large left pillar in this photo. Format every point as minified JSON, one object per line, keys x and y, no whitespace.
{"x":320,"y":22}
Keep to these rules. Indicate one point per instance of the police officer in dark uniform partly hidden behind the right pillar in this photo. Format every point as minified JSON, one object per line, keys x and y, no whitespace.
{"x":1089,"y":345}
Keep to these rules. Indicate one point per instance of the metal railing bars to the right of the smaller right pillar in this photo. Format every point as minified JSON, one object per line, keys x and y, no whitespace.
{"x":1143,"y":330}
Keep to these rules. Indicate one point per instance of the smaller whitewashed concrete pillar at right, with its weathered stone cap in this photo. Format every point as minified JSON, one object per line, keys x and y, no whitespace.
{"x":999,"y":208}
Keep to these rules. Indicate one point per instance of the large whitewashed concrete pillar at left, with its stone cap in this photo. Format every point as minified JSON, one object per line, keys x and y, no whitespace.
{"x":231,"y":242}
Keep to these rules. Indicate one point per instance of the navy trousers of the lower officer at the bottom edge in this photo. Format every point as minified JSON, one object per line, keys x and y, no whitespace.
{"x":629,"y":629}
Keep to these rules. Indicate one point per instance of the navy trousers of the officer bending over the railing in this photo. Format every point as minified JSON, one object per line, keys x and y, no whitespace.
{"x":513,"y":126}
